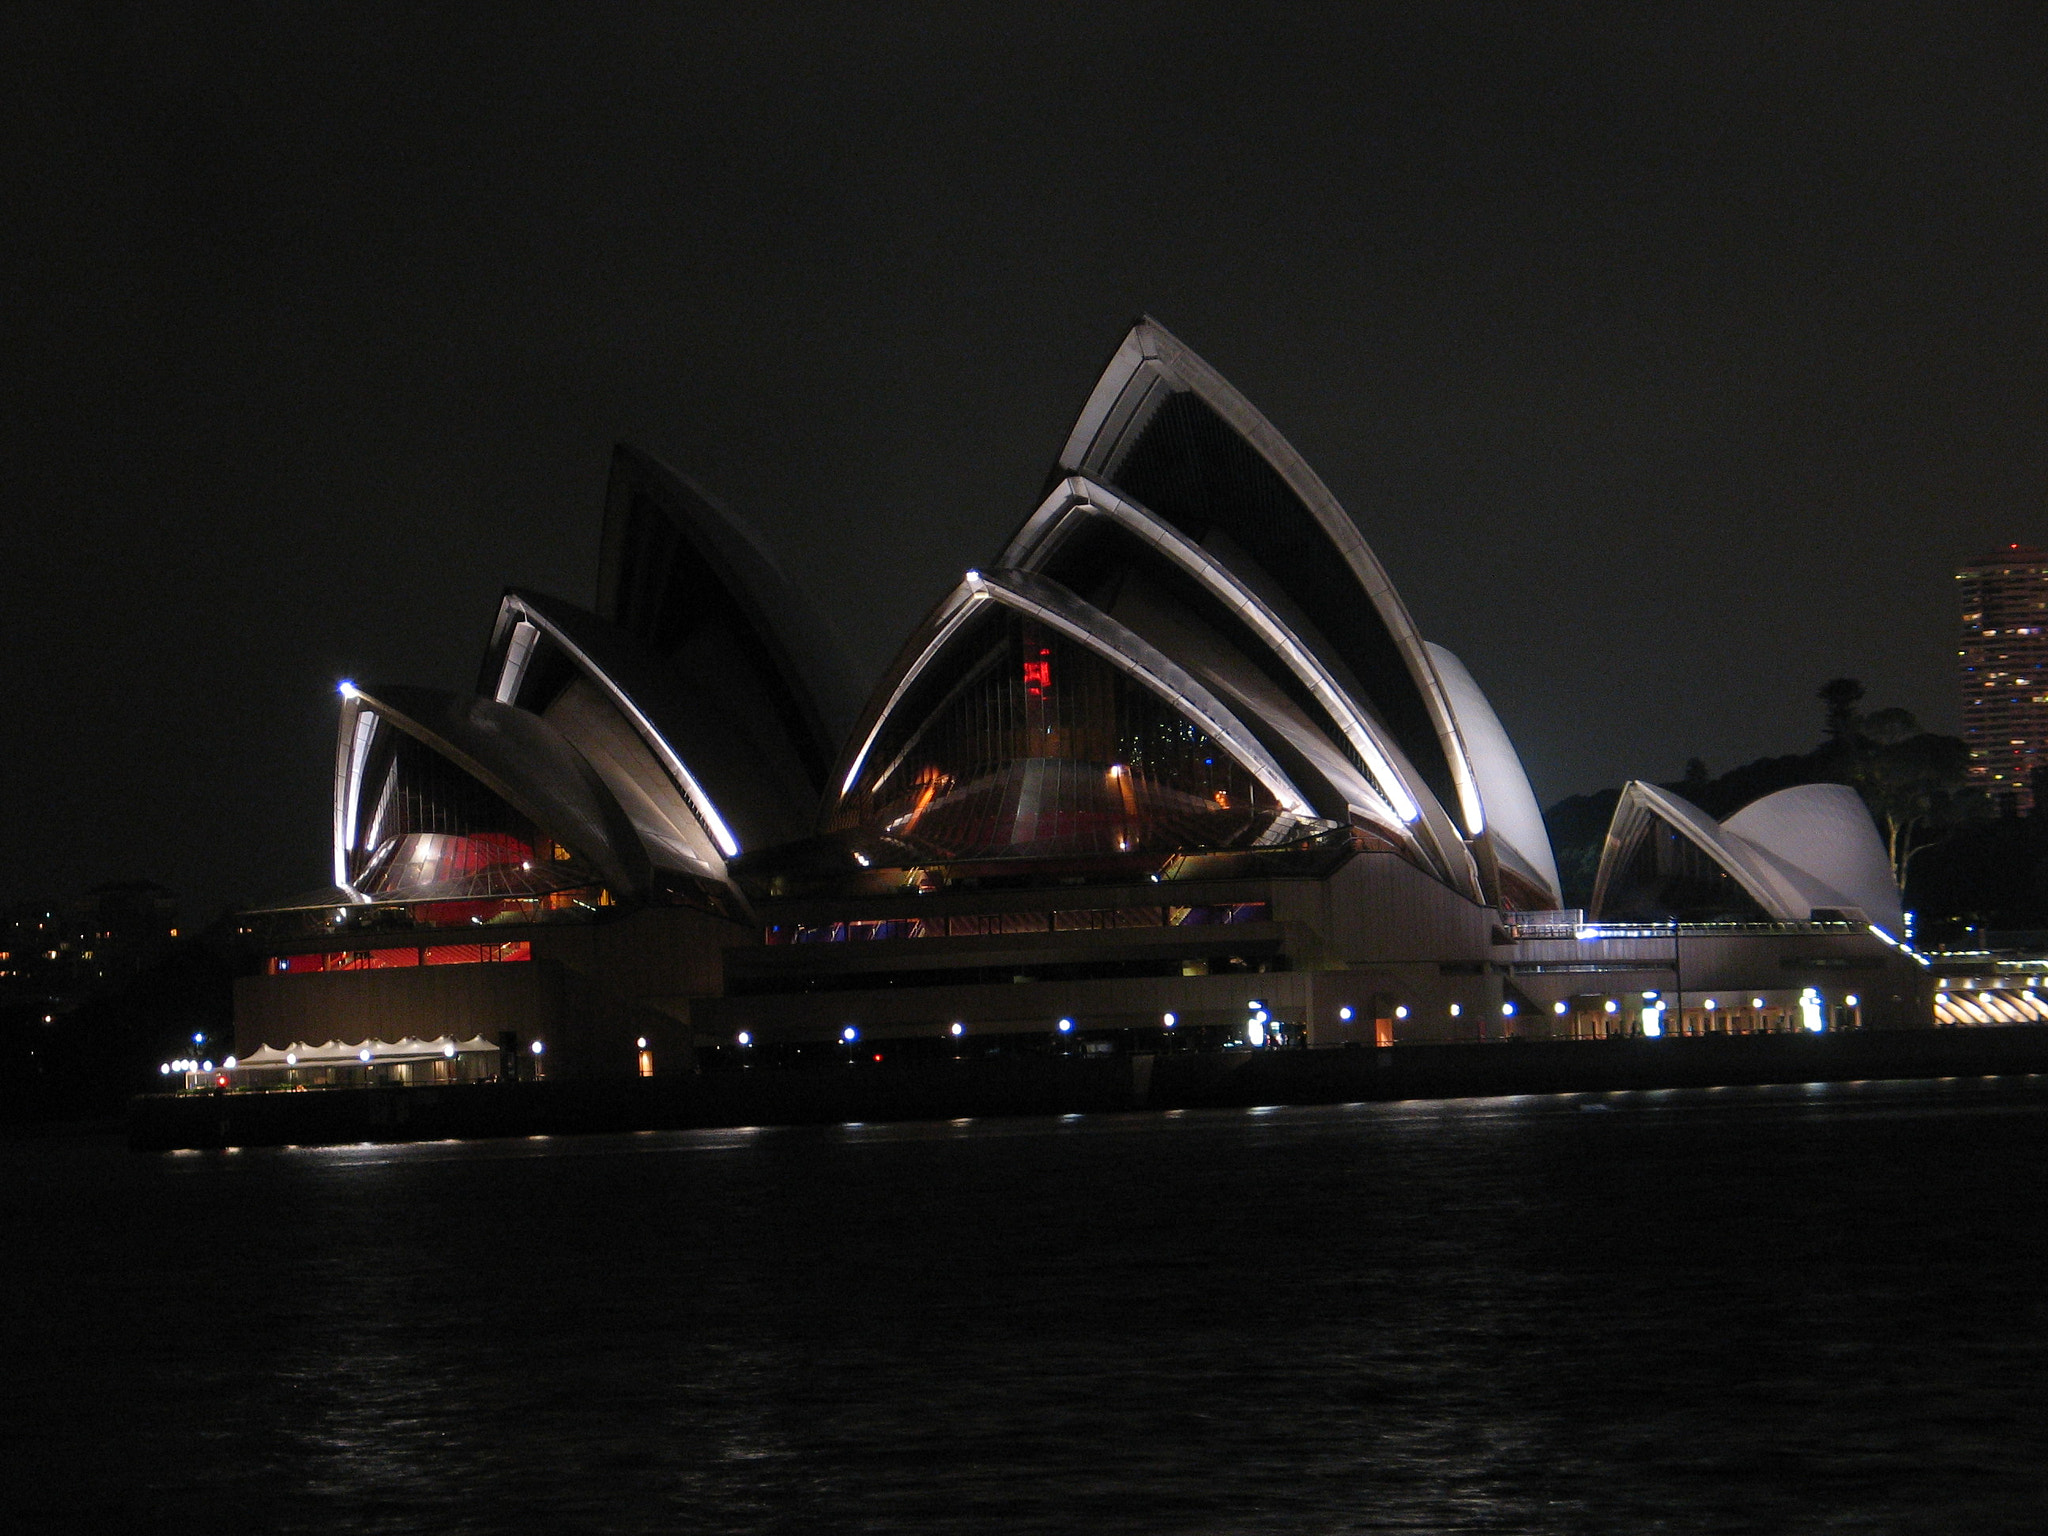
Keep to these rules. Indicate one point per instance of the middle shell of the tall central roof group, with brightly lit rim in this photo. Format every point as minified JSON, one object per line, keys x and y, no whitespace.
{"x":1396,"y":798}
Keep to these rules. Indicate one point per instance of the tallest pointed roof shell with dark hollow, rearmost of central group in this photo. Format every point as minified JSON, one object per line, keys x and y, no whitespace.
{"x":1170,"y":433}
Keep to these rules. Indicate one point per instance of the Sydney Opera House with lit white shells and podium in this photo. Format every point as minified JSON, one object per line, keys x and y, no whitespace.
{"x":1175,"y":769}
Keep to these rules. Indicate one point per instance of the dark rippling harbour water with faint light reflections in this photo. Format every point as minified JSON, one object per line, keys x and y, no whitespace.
{"x":1785,"y":1310}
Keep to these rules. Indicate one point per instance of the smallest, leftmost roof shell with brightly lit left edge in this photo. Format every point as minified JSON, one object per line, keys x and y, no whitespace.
{"x":511,"y":755}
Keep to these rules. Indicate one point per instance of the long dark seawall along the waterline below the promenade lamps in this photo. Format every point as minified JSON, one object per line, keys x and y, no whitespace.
{"x":945,"y":1091}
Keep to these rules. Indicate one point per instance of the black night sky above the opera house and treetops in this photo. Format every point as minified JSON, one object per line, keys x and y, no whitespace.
{"x":1668,"y":361}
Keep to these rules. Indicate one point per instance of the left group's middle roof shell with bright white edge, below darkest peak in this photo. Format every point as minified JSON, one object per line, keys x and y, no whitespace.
{"x":673,"y":808}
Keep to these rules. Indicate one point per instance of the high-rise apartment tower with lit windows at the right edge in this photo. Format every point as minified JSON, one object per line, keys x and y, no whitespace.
{"x":2006,"y":671}
